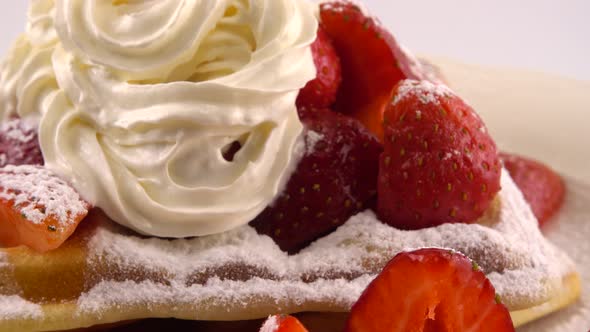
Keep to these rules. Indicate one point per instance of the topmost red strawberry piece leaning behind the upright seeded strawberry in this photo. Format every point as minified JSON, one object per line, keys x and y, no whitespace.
{"x":372,"y":62}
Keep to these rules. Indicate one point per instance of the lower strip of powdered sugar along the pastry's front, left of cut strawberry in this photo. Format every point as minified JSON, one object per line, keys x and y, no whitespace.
{"x":220,"y":295}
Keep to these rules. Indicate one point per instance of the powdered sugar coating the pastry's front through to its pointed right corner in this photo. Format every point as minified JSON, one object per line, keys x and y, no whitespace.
{"x":507,"y":244}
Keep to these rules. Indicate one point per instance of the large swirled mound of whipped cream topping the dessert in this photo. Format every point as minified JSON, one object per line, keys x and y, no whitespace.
{"x":137,"y":101}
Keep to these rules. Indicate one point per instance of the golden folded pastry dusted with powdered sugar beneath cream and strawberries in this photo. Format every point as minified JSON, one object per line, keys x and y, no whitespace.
{"x":106,"y":274}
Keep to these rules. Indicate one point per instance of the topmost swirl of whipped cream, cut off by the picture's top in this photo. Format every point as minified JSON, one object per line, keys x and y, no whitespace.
{"x":196,"y":40}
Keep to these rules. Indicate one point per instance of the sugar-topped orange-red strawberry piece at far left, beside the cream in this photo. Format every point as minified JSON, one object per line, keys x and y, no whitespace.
{"x":37,"y":208}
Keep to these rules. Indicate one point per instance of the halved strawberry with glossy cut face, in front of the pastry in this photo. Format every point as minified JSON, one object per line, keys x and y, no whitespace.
{"x":429,"y":290}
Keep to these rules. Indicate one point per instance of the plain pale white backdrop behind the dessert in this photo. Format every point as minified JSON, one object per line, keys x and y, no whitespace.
{"x":544,"y":35}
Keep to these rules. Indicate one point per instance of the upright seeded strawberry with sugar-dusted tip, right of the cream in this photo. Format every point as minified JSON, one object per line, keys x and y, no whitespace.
{"x":439,"y":163}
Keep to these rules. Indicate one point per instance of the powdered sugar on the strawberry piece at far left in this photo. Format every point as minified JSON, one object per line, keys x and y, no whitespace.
{"x":38,"y":194}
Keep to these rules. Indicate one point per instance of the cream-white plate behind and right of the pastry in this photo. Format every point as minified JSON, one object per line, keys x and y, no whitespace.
{"x":548,"y":118}
